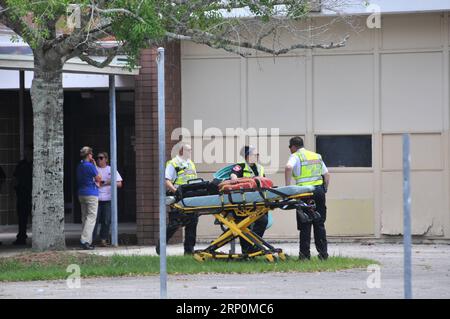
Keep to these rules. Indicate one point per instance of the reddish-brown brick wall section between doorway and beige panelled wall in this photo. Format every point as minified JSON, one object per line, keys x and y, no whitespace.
{"x":146,"y":112}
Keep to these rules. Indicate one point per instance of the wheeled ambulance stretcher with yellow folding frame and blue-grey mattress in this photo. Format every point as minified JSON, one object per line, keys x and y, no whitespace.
{"x":237,"y":210}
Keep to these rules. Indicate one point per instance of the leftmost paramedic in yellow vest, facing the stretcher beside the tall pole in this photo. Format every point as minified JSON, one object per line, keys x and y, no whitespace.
{"x":179,"y":171}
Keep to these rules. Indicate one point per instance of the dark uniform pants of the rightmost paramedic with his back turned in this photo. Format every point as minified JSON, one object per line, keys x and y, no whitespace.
{"x":320,"y":236}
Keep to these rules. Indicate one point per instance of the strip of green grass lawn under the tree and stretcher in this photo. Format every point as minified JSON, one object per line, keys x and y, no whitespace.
{"x":53,"y":265}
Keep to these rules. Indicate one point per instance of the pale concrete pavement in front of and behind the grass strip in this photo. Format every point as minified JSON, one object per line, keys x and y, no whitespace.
{"x":431,"y":279}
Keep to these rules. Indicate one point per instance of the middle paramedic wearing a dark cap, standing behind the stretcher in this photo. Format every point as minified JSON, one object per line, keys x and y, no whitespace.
{"x":250,"y":168}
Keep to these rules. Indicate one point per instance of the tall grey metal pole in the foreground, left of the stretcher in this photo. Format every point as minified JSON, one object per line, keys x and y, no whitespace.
{"x":162,"y":187}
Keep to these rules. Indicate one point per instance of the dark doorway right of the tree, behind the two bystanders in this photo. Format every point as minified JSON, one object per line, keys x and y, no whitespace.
{"x":86,"y":122}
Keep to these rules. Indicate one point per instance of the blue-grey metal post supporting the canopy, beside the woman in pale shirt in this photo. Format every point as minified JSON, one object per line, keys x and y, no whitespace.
{"x":113,"y":148}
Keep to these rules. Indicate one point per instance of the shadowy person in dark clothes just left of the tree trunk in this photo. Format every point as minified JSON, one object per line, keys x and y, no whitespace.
{"x":23,"y":182}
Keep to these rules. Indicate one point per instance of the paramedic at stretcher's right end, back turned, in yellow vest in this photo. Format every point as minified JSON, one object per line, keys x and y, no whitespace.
{"x":308,"y":168}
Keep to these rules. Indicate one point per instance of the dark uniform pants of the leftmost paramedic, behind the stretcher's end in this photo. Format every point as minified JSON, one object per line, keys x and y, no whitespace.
{"x":189,"y":221}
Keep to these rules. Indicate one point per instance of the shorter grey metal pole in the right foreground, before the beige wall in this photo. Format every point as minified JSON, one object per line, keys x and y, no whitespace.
{"x":407,"y":216}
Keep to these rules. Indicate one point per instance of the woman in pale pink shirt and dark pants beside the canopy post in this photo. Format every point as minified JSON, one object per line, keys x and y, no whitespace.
{"x":104,"y":199}
